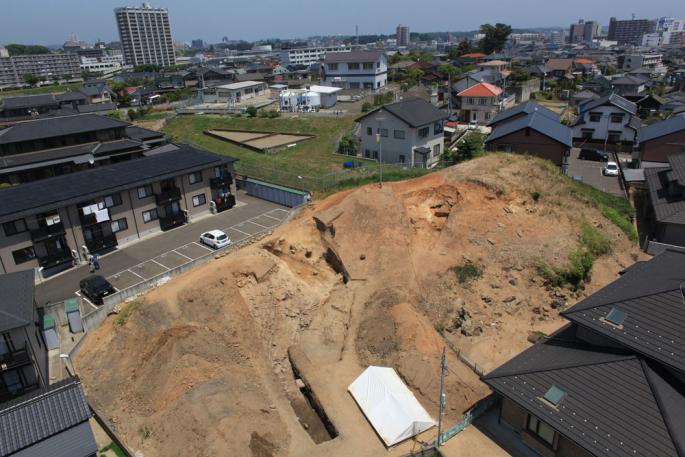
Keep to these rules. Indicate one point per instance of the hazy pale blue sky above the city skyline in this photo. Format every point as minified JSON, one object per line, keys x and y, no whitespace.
{"x":54,"y":21}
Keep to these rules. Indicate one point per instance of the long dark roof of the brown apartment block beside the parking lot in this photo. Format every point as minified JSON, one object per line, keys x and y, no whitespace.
{"x":47,"y":194}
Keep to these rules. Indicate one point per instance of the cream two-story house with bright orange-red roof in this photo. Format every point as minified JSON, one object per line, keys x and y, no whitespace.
{"x":481,"y":102}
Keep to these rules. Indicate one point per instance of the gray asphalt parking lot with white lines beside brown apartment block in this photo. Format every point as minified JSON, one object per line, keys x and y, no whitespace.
{"x":150,"y":256}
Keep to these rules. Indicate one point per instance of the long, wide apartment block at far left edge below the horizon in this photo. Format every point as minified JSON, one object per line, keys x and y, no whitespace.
{"x":48,"y":67}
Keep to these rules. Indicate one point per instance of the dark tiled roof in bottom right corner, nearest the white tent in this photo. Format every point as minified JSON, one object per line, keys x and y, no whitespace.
{"x":615,"y":403}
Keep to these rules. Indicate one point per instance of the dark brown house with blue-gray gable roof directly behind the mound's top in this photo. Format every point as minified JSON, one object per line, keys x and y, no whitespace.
{"x":532,"y":131}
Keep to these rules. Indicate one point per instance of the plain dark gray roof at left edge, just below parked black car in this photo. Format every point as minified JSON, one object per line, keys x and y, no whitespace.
{"x":16,"y":300}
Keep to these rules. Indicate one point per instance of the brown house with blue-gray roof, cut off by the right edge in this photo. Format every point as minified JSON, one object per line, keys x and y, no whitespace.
{"x":662,"y":139}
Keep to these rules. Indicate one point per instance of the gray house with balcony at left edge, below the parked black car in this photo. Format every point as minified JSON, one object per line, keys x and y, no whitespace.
{"x":23,"y":353}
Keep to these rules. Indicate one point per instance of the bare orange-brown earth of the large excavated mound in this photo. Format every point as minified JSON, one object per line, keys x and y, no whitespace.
{"x":363,"y":277}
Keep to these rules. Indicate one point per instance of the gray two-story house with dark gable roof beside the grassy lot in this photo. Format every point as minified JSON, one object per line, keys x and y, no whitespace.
{"x":408,"y":132}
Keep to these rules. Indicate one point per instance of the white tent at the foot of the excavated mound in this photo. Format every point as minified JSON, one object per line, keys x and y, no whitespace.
{"x":394,"y":412}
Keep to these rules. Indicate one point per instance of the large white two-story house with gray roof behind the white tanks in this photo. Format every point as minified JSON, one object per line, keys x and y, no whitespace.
{"x":355,"y":70}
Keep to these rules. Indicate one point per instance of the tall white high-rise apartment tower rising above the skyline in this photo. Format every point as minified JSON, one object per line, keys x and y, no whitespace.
{"x":145,"y":34}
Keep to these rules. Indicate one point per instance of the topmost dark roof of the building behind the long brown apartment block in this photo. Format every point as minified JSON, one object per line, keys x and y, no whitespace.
{"x":57,"y":126}
